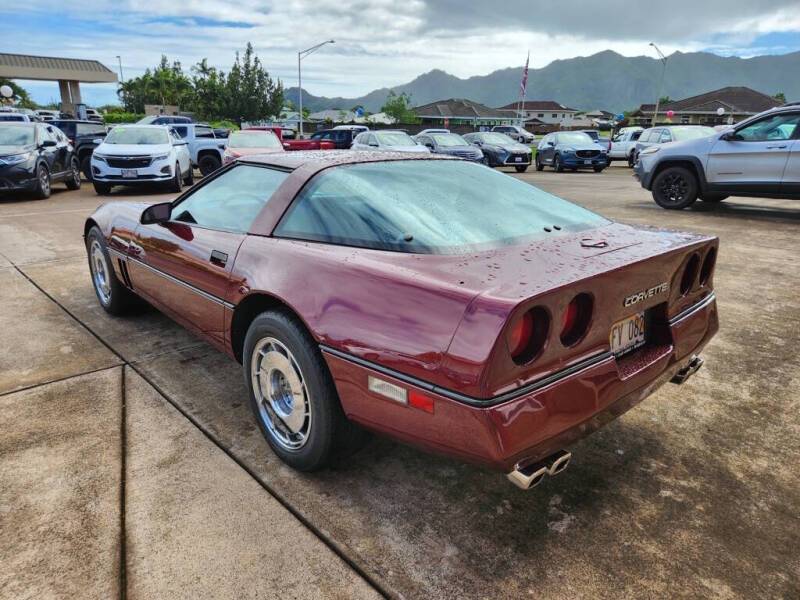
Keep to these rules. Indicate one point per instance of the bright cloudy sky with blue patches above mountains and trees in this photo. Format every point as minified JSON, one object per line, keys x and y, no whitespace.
{"x":384,"y":42}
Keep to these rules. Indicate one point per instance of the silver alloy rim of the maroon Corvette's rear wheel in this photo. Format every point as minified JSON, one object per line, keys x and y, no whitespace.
{"x":281,"y":394}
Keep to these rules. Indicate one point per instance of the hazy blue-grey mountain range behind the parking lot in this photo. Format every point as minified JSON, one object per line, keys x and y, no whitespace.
{"x":606,"y":80}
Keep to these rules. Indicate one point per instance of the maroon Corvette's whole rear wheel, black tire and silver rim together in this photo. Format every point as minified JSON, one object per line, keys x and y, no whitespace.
{"x":307,"y":435}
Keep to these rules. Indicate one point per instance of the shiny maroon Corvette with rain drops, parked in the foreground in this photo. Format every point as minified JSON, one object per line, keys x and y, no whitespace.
{"x":430,"y":299}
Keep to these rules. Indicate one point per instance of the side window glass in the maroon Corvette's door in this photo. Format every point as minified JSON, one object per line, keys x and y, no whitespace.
{"x":231,"y":201}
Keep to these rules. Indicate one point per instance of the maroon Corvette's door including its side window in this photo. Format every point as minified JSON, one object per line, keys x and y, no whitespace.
{"x":183,"y":265}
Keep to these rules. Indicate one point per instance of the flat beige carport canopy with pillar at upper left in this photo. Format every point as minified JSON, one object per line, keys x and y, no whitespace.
{"x":69,"y":72}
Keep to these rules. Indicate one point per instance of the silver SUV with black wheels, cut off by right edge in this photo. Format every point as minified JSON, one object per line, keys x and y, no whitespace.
{"x":757,"y":157}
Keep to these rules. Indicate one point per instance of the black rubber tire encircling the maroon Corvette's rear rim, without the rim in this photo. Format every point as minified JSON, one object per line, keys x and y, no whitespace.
{"x":325,"y":407}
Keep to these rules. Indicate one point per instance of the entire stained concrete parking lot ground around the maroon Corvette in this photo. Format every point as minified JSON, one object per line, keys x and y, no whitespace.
{"x":130,"y":464}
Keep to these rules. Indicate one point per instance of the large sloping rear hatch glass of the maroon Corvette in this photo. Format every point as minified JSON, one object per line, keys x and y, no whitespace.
{"x":428,"y":206}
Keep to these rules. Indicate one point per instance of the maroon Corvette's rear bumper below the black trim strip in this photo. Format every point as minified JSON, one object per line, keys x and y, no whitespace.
{"x":534,"y":425}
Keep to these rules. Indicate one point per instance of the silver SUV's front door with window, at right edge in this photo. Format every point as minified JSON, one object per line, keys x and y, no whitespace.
{"x":755,"y":155}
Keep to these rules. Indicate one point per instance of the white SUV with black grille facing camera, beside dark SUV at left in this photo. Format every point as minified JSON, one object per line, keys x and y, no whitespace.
{"x":139,"y":154}
